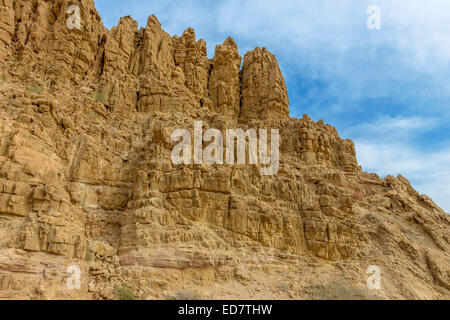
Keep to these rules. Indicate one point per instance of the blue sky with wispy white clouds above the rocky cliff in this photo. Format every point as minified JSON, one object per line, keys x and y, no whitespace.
{"x":388,"y":90}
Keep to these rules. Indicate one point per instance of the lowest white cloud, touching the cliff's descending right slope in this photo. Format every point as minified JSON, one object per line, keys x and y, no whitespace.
{"x":386,"y":146}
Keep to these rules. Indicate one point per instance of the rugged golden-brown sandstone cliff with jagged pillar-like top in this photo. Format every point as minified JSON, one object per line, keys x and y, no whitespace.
{"x":87,"y":180}
